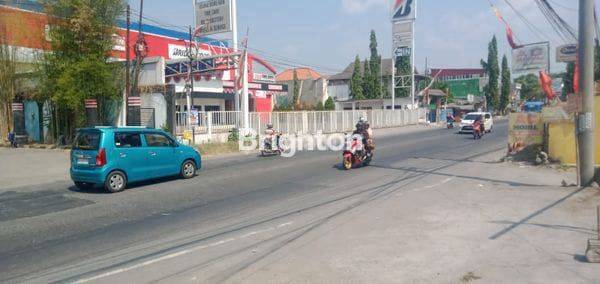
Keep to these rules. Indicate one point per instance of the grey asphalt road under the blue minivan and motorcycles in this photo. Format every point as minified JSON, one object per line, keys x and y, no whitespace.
{"x":238,"y":211}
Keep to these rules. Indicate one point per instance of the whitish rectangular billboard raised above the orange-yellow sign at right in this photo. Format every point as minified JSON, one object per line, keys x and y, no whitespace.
{"x":531,"y":58}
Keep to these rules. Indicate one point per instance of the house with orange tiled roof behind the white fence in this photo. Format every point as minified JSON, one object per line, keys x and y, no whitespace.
{"x":312,"y":86}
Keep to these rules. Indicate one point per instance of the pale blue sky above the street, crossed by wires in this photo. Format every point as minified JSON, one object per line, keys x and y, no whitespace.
{"x":328,"y":34}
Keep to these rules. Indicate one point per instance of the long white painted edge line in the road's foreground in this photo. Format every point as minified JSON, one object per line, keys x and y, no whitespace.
{"x":176,"y":254}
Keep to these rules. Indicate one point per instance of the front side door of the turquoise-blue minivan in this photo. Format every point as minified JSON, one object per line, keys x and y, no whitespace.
{"x":162,"y":155}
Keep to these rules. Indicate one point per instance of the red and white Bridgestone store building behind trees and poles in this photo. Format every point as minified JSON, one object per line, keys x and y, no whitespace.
{"x":26,"y":30}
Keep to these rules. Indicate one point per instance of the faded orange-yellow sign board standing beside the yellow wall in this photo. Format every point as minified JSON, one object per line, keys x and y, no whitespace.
{"x":525,"y":129}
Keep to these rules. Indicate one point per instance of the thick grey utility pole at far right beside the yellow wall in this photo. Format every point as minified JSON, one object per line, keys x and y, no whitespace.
{"x":586,"y":82}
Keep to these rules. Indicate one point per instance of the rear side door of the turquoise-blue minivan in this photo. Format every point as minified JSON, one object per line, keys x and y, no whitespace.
{"x":131,"y":156}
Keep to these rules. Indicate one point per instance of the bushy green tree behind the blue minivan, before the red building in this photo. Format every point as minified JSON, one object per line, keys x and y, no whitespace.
{"x":79,"y":67}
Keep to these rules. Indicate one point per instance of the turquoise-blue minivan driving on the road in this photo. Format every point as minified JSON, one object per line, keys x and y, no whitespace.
{"x":114,"y":157}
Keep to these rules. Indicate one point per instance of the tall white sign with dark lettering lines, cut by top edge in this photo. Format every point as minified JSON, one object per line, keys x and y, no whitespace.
{"x":213,"y":16}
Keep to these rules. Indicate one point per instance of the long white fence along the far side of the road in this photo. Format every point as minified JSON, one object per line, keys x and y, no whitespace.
{"x":303,"y":122}
